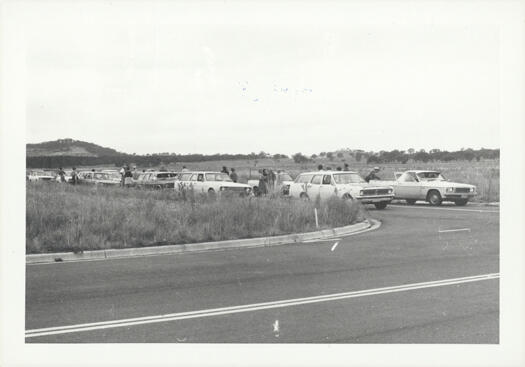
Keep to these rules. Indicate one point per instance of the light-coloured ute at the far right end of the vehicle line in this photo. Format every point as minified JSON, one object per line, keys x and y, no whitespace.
{"x":429,"y":186}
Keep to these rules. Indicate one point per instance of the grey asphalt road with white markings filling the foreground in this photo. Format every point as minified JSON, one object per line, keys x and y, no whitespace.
{"x":227,"y":296}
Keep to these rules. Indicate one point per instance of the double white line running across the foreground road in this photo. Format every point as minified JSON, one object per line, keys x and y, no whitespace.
{"x":250,"y":307}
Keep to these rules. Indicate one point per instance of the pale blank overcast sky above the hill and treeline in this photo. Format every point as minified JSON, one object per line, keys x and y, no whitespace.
{"x":170,"y":77}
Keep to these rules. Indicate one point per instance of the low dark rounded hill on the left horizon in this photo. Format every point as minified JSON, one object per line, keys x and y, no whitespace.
{"x":69,"y":147}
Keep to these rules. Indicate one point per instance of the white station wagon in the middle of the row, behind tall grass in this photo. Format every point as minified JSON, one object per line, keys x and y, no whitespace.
{"x":212,"y":183}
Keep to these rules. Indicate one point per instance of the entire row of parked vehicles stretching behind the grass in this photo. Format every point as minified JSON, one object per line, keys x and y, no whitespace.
{"x":411,"y":186}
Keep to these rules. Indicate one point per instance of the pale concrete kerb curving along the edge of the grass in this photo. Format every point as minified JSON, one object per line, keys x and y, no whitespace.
{"x":367,"y":225}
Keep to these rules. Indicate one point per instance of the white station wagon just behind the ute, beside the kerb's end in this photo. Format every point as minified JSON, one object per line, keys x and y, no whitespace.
{"x":344,"y":184}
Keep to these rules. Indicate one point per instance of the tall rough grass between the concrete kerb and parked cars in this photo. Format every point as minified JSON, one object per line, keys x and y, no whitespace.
{"x":61,"y":217}
